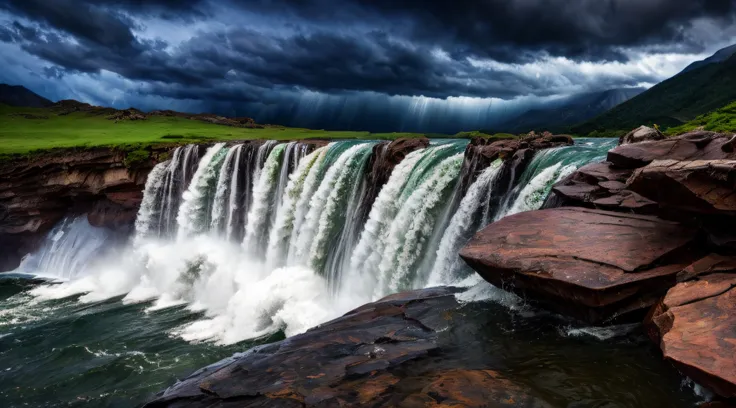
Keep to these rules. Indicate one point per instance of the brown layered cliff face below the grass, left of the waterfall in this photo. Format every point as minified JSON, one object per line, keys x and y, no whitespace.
{"x":37,"y":192}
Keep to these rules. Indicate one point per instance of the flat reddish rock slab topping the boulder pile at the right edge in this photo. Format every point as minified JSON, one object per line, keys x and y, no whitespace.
{"x":699,"y":145}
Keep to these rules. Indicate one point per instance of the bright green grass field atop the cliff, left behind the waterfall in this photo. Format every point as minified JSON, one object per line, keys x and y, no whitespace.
{"x":22,"y":134}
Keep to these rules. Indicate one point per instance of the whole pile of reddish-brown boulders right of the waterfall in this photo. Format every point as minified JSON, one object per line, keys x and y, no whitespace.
{"x":647,"y":232}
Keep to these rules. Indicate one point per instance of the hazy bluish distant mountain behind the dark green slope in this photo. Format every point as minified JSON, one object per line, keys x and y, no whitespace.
{"x":573,"y":110}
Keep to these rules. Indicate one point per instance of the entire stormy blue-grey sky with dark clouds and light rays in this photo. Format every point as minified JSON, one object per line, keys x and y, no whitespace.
{"x":420,"y":65}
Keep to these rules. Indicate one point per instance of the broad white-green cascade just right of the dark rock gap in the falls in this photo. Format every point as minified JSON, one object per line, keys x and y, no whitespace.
{"x":409,"y":211}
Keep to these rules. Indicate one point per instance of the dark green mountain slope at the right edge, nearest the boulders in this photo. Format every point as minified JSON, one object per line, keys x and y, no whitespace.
{"x":671,"y":103}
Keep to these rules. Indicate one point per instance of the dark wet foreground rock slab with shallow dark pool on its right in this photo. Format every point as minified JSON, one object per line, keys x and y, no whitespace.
{"x":428,"y":349}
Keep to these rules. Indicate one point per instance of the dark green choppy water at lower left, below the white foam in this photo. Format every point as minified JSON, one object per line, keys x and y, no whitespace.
{"x":68,"y":354}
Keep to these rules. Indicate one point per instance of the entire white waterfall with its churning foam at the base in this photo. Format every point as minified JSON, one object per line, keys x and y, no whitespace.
{"x":262,"y":237}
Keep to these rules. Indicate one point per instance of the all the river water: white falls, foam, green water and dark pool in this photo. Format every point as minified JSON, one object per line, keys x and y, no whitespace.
{"x":244,"y":244}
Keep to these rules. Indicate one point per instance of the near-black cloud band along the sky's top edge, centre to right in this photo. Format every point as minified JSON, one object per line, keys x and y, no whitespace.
{"x":517,"y":30}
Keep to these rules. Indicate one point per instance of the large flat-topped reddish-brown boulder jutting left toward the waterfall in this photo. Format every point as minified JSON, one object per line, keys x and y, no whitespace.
{"x":590,"y":264}
